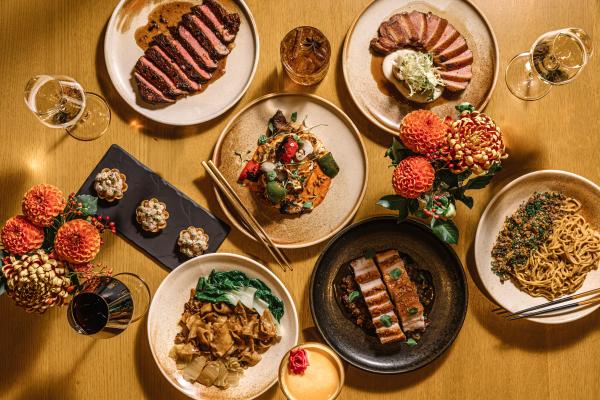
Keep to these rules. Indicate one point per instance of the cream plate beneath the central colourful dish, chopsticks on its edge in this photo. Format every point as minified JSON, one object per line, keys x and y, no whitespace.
{"x":339,"y":135}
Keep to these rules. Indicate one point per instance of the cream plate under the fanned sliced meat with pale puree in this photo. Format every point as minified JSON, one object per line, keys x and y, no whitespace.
{"x":378,"y":100}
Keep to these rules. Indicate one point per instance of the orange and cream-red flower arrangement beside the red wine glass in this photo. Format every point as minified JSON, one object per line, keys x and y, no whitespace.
{"x":48,"y":251}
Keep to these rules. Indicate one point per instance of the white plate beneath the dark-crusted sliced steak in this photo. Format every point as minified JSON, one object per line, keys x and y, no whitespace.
{"x":121,"y":53}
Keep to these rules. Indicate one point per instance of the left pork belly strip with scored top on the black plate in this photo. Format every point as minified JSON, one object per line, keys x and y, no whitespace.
{"x":377,"y":300}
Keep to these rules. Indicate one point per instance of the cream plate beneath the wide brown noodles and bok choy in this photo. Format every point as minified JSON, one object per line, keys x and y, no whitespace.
{"x":166,"y":309}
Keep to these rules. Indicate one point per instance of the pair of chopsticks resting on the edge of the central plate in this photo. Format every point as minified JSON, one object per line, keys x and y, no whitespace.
{"x":246,"y":216}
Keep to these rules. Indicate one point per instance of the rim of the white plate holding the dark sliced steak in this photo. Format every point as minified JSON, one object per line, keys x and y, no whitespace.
{"x":146,"y":113}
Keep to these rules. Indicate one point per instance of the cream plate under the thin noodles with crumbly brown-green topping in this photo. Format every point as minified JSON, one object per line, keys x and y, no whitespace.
{"x":504,"y":204}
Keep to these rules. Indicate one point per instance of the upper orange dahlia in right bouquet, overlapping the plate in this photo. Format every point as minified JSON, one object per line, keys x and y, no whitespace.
{"x":422,"y":131}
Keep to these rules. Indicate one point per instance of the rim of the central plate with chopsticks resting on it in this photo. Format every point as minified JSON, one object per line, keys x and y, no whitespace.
{"x":340,"y":113}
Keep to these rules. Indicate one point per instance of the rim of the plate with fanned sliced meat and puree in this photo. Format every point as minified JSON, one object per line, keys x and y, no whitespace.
{"x":364,"y":112}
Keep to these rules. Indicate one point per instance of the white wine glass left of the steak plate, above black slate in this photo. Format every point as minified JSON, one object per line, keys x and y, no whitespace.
{"x":60,"y":102}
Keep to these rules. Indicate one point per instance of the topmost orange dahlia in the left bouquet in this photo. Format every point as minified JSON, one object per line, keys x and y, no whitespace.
{"x":42,"y":203}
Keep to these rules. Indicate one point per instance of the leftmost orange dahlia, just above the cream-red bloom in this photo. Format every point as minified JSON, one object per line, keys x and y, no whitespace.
{"x":19,"y":236}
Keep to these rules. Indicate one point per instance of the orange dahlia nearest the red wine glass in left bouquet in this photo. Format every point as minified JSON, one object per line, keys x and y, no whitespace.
{"x":77,"y":242}
